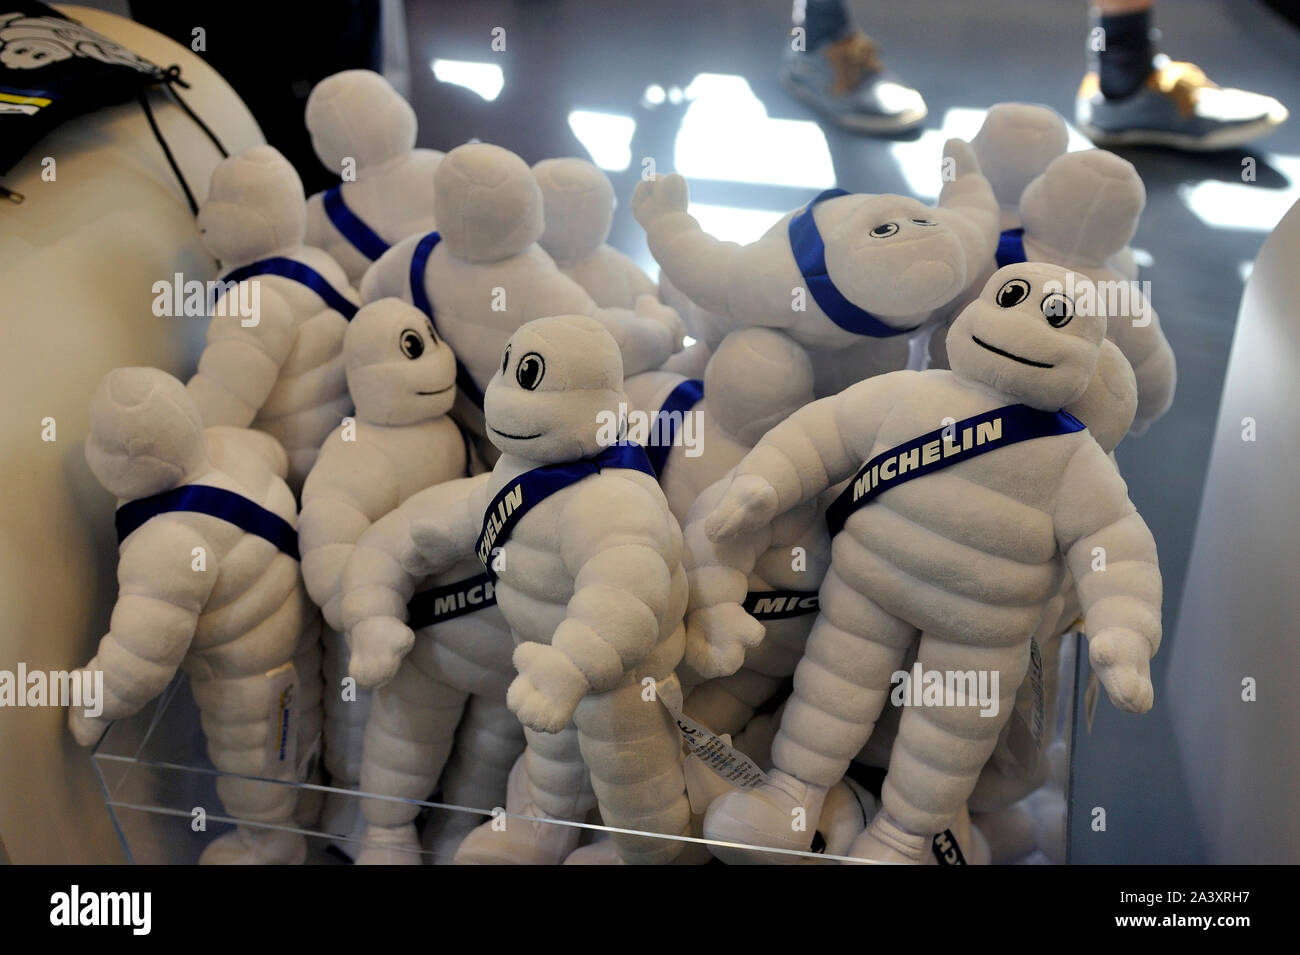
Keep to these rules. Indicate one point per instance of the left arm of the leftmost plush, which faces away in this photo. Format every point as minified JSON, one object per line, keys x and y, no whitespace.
{"x":154,"y":620}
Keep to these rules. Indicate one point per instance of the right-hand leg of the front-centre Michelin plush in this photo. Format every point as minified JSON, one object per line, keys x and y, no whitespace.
{"x":634,"y":752}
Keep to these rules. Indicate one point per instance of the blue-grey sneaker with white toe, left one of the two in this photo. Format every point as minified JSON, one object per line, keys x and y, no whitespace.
{"x":846,"y":83}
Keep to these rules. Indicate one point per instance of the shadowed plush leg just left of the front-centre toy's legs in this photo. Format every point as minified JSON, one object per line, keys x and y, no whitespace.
{"x":488,"y":743}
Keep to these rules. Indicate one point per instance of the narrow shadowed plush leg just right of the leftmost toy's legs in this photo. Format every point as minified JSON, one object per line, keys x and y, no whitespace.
{"x":346,"y":710}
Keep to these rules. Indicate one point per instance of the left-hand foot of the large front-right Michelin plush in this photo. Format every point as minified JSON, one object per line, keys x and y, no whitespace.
{"x":773,"y":814}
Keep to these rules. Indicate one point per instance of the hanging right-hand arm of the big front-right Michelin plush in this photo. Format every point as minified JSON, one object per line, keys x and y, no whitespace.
{"x":1112,"y":557}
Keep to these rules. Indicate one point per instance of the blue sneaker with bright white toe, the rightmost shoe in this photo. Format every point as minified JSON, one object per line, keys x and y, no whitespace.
{"x":1177,"y":107}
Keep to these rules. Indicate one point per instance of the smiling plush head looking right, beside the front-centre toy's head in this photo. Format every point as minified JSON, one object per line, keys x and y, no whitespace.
{"x":398,"y":371}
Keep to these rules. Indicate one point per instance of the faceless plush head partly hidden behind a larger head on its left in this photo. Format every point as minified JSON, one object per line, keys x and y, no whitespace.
{"x":579,"y":207}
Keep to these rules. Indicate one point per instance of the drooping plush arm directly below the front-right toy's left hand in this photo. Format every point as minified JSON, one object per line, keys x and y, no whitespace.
{"x":720,"y":631}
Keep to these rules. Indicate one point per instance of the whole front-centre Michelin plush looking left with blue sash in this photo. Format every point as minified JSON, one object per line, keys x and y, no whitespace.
{"x":587,"y":561}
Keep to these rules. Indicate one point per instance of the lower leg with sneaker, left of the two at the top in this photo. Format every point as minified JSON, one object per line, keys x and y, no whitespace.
{"x":835,"y":68}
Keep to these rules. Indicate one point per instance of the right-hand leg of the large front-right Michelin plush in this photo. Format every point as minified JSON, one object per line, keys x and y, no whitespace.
{"x":941,"y":750}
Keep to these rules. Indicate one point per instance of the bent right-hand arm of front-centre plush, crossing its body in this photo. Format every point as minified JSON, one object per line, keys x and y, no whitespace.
{"x":614,"y":540}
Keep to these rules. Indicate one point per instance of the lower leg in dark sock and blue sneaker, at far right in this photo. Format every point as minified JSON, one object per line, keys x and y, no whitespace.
{"x":1134,"y":95}
